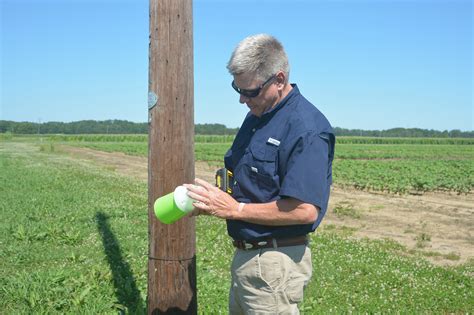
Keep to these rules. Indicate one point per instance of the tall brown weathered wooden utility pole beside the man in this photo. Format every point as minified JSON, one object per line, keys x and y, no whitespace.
{"x":172,"y":259}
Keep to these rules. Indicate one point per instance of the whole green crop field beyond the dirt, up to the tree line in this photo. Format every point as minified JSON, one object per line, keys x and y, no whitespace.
{"x":394,"y":165}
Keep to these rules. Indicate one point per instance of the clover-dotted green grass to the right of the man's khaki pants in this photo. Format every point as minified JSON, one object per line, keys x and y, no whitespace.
{"x":369,"y":277}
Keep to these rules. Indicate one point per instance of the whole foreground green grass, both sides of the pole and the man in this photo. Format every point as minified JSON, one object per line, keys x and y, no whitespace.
{"x":74,"y":240}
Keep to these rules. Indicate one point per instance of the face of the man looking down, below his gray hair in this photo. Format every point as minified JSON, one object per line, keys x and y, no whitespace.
{"x":266,"y":99}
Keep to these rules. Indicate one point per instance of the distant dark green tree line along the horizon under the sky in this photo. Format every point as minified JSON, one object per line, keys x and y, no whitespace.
{"x":127,"y":127}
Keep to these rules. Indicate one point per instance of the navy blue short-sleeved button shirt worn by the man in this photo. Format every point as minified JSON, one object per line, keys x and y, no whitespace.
{"x":287,"y":152}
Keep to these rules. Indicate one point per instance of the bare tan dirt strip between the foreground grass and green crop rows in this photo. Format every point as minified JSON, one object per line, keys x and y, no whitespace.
{"x":435,"y":225}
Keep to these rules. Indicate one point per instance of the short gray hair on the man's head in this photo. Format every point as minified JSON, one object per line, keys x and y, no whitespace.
{"x":261,"y":54}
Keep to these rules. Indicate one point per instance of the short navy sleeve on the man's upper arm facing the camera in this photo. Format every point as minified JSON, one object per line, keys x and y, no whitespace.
{"x":308,"y":172}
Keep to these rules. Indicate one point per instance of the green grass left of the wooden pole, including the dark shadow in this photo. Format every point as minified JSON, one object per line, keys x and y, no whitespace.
{"x":59,"y":223}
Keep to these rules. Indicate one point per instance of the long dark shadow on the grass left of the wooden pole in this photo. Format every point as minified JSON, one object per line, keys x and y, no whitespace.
{"x":126,"y":289}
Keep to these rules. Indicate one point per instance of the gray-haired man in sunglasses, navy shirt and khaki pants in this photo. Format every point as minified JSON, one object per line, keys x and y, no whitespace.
{"x":281,"y":159}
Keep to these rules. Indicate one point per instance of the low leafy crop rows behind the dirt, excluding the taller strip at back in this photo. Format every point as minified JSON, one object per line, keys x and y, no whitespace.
{"x":395,"y":169}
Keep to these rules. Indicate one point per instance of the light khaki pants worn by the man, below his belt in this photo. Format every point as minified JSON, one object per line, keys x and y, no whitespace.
{"x":269,"y":281}
